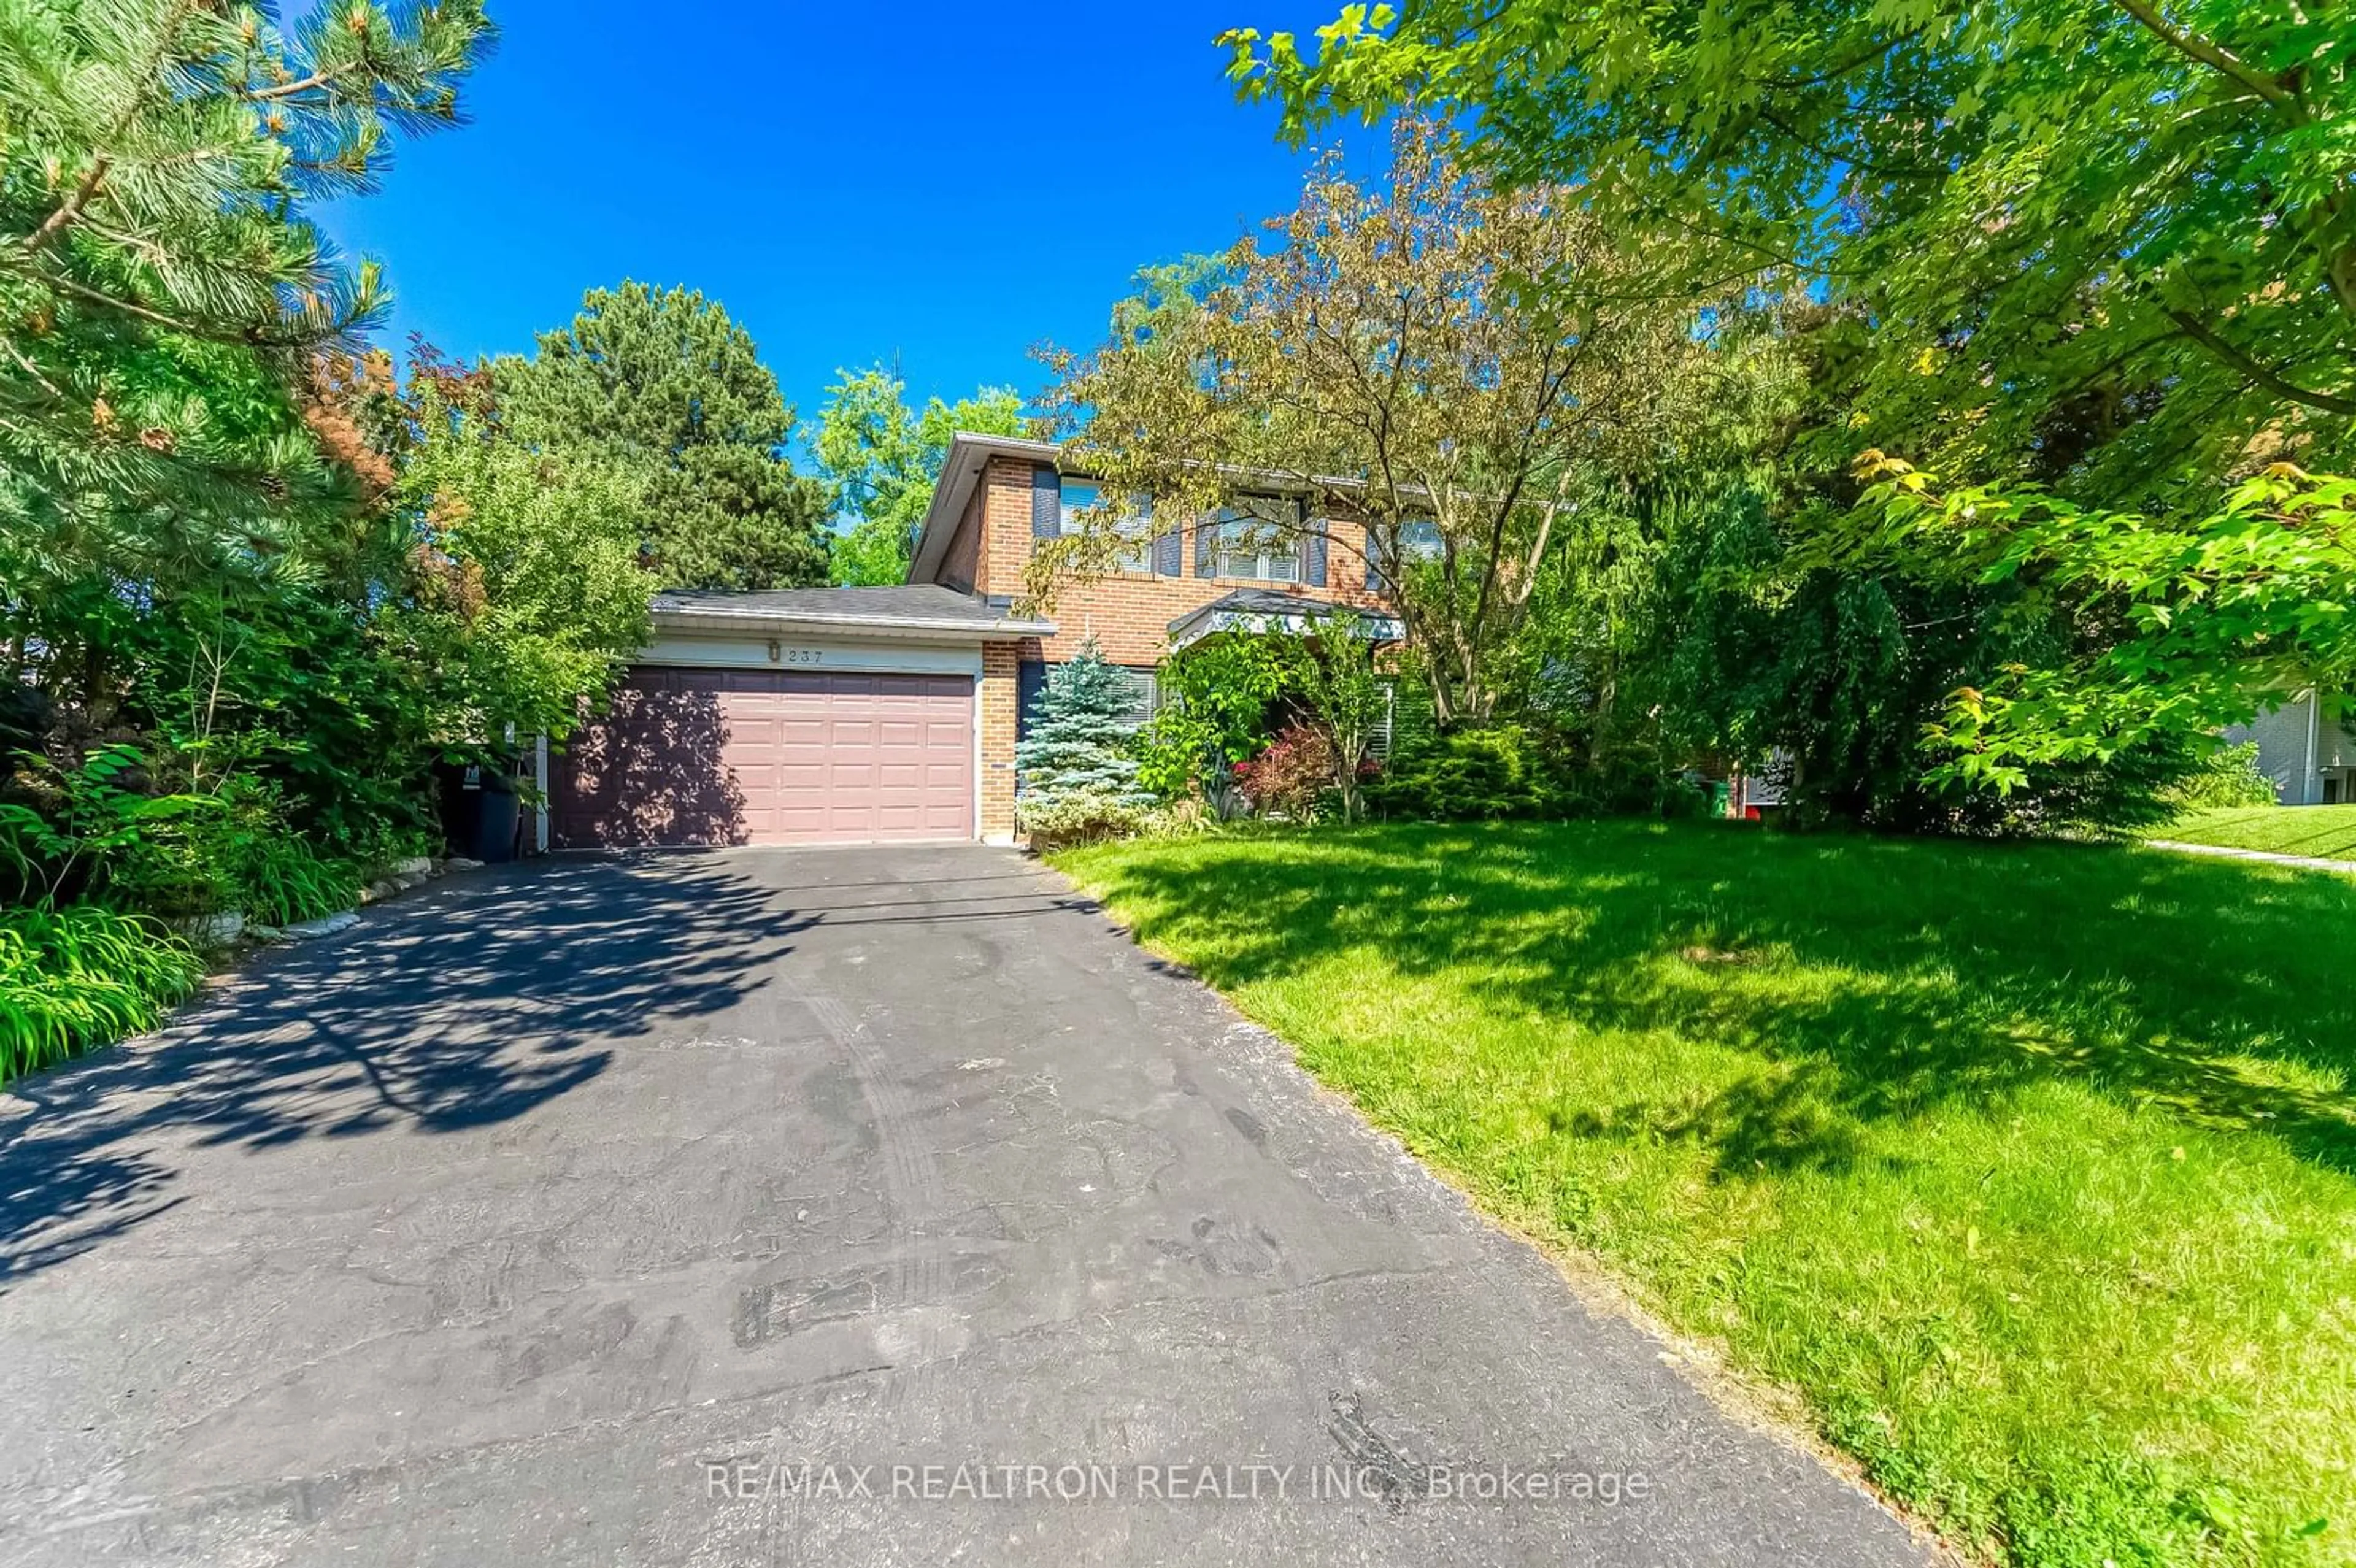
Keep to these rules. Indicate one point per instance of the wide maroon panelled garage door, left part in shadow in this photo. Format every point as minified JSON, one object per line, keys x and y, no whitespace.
{"x":769,"y":757}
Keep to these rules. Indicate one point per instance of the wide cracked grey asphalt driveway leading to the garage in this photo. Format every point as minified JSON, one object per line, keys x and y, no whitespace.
{"x":593,"y":1211}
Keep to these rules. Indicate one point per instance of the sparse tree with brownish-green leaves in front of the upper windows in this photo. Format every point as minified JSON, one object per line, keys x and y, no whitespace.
{"x":1379,"y":354}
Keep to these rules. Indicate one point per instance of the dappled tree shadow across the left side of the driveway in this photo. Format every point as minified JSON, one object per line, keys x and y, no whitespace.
{"x":449,"y":1011}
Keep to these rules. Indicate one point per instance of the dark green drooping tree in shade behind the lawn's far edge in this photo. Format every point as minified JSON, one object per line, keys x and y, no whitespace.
{"x":1738,"y":642}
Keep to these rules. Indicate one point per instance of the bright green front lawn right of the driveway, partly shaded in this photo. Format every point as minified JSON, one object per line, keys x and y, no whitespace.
{"x":2030,"y":1167}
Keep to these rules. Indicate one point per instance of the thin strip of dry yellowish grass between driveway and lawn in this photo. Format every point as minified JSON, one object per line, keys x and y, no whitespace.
{"x":1702,"y":1362}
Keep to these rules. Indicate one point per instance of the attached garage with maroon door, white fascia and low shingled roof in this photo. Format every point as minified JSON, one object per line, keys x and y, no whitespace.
{"x":802,"y":717}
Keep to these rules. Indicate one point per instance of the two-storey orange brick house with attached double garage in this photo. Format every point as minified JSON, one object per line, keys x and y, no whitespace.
{"x":875,"y":715}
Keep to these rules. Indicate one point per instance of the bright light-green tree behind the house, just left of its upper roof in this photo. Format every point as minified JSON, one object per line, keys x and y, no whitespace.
{"x":880,"y":463}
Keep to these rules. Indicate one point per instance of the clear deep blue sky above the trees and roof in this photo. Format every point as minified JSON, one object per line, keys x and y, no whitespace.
{"x":948,"y":185}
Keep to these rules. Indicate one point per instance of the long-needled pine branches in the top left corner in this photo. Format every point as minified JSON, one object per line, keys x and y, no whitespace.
{"x":161,"y":281}
